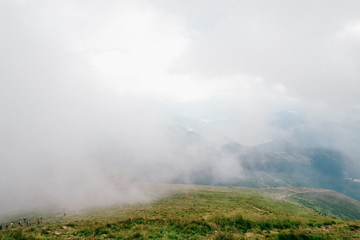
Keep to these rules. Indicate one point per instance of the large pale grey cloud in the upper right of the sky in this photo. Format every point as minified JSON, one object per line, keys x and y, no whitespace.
{"x":291,"y":44}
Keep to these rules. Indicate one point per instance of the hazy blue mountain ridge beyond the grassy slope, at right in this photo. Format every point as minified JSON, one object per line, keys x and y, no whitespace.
{"x":278,"y":164}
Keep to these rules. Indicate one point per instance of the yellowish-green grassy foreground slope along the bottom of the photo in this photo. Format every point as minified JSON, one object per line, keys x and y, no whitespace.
{"x":199,"y":212}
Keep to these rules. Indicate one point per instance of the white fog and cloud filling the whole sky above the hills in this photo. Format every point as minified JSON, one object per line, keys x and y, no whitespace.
{"x":99,"y":99}
